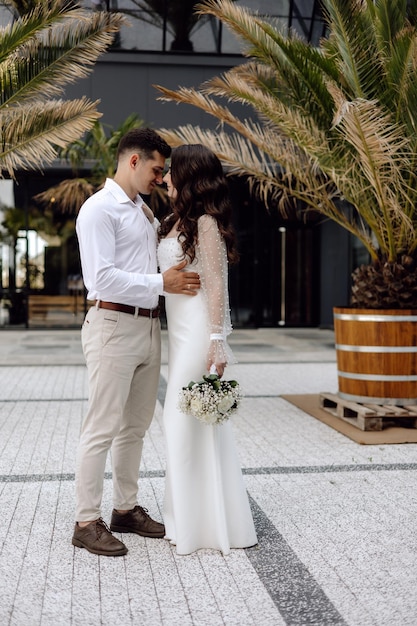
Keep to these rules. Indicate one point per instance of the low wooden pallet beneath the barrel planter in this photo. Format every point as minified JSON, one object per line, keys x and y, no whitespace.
{"x":369,"y":416}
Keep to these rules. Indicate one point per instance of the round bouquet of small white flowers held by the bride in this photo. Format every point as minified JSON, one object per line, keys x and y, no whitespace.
{"x":210,"y":400}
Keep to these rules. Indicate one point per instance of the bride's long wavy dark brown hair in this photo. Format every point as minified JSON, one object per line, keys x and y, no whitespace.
{"x":201,"y":185}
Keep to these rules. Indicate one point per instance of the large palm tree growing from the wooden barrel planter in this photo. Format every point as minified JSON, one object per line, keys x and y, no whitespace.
{"x":332,"y":128}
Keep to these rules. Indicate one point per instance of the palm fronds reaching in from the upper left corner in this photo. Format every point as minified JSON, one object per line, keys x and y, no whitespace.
{"x":52,"y":44}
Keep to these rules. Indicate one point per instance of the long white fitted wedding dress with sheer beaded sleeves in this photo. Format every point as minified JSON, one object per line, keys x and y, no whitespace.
{"x":205,"y":504}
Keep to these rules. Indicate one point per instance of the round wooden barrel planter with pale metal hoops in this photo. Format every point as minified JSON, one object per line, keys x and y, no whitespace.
{"x":376,"y":355}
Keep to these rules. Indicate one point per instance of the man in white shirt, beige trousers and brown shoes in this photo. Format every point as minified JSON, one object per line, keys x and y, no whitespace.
{"x":121,"y":340}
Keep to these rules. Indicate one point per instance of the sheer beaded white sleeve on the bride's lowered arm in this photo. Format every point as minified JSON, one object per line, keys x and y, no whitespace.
{"x":214,"y":284}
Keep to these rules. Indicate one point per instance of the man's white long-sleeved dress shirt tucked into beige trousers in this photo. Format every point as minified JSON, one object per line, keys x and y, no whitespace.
{"x":118,"y":249}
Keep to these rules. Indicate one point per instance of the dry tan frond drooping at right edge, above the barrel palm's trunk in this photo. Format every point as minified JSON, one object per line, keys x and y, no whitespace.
{"x":380,"y":156}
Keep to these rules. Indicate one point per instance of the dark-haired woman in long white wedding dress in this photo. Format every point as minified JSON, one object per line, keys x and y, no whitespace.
{"x":205,"y":504}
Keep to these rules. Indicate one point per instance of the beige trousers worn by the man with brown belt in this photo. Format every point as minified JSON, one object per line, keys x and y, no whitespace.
{"x":122,"y":354}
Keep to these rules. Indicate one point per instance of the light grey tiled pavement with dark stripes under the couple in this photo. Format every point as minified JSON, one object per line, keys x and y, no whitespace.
{"x":336,"y":520}
